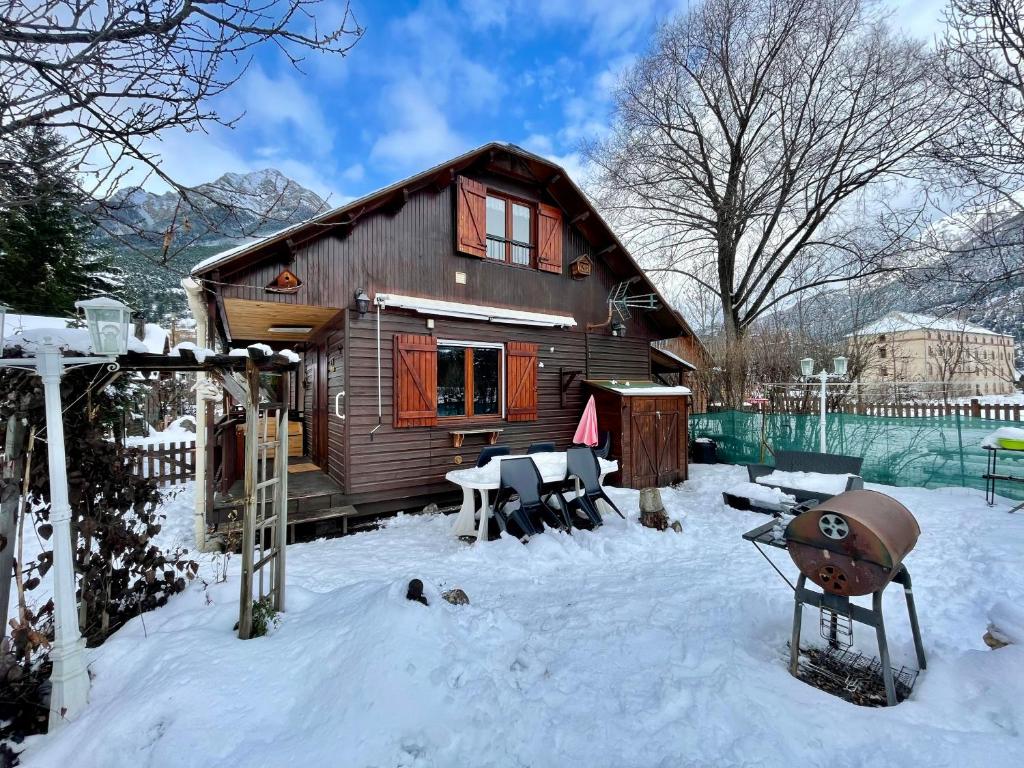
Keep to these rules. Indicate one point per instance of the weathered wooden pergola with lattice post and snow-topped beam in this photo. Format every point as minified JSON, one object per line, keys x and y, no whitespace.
{"x":265,"y":523}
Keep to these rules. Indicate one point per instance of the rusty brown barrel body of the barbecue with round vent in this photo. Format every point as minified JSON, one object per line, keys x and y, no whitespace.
{"x":855,"y":543}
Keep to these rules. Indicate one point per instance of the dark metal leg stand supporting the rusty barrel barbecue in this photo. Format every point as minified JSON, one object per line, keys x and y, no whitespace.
{"x":841,"y":607}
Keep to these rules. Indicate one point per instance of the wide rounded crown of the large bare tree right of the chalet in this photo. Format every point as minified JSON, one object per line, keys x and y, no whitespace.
{"x":748,"y":143}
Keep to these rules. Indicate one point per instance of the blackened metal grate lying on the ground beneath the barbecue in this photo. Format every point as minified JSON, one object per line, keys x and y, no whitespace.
{"x":852,"y":676}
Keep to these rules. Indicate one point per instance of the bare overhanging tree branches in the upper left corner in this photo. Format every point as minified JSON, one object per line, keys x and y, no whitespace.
{"x":113,"y":75}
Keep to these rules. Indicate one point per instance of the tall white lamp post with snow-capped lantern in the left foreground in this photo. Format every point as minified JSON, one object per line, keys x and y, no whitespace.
{"x":108,"y":324}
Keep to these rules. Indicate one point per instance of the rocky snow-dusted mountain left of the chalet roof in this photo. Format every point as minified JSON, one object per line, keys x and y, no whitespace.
{"x":218,"y":216}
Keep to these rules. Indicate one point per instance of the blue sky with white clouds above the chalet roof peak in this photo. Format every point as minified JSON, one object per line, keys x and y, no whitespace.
{"x":432,"y":79}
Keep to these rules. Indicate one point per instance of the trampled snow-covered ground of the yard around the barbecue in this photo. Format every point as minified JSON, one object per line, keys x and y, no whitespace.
{"x":620,"y":648}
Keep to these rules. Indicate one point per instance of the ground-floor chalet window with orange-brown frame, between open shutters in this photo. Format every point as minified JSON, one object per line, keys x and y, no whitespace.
{"x":470,"y":380}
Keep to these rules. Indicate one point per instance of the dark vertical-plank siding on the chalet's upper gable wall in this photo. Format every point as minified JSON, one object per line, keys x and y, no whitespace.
{"x":413,"y":252}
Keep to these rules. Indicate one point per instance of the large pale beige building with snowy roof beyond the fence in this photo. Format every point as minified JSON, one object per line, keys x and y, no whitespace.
{"x":913,"y":355}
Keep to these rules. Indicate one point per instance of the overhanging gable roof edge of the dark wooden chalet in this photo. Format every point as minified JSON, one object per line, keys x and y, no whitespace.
{"x":549,"y":176}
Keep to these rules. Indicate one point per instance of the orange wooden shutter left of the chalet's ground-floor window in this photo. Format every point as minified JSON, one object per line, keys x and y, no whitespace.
{"x":415,"y":380}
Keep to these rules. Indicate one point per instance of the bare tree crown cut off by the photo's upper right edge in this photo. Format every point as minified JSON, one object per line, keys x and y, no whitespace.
{"x":983,"y":156}
